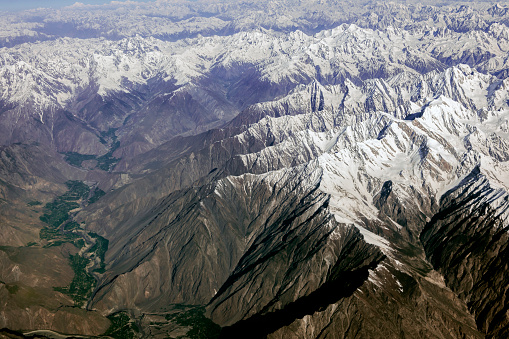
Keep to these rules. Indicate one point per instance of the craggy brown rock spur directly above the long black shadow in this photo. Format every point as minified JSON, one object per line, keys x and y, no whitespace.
{"x":296,"y":262}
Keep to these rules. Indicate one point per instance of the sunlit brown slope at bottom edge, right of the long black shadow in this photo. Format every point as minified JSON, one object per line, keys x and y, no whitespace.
{"x":392,"y":307}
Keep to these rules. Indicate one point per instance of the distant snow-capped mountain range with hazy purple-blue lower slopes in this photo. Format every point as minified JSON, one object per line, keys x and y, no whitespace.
{"x":98,"y":84}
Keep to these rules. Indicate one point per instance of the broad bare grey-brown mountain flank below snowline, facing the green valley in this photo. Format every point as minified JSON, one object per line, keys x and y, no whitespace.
{"x":222,"y":231}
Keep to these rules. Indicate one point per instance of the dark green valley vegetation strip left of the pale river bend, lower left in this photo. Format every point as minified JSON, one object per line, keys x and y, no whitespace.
{"x":82,"y":284}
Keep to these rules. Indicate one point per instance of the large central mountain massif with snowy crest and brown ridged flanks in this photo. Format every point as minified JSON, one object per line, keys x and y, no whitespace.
{"x":384,"y":176}
